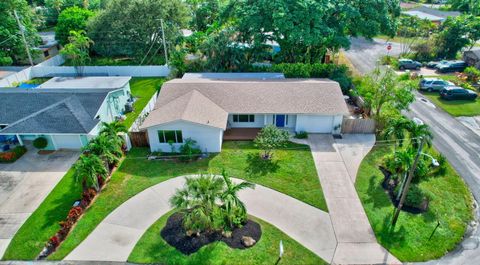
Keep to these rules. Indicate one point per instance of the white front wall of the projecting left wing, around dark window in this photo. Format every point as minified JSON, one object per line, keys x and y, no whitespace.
{"x":208,"y":138}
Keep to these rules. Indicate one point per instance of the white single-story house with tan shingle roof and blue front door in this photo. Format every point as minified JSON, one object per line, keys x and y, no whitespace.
{"x":206,"y":110}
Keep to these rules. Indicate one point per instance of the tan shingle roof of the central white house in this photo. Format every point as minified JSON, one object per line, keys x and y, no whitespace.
{"x":214,"y":98}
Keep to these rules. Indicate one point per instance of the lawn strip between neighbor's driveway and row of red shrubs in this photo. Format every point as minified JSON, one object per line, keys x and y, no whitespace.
{"x":43,"y":223}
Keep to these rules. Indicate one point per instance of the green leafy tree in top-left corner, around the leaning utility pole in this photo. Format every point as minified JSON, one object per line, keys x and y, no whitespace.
{"x":12,"y":48}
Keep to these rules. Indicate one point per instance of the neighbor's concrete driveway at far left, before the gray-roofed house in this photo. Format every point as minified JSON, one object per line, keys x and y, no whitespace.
{"x":25,"y":184}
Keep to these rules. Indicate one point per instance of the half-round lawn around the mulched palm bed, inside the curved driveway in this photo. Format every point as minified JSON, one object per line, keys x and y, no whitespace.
{"x":151,"y":248}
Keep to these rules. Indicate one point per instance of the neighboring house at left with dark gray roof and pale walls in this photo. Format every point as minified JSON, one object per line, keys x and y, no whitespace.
{"x":66,"y":111}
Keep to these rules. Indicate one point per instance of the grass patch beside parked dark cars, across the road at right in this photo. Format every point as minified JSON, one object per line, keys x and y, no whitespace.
{"x":455,"y":108}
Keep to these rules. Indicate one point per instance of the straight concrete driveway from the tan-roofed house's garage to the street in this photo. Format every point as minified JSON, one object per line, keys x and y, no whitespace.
{"x":337,"y":163}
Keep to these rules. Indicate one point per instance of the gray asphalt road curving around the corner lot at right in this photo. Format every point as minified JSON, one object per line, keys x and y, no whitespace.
{"x":455,"y":141}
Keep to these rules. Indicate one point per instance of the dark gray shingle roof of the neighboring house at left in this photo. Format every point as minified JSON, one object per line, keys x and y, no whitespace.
{"x":49,"y":112}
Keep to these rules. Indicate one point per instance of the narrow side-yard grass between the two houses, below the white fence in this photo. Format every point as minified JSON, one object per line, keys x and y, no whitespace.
{"x":142,"y":88}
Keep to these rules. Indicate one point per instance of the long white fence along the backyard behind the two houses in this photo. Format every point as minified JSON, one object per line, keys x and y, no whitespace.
{"x":136,"y":71}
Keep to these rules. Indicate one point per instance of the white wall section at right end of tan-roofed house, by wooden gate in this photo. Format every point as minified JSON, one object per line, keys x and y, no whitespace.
{"x":317,"y":123}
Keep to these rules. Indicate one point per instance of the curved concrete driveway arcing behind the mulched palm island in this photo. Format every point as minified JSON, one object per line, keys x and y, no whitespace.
{"x":115,"y":237}
